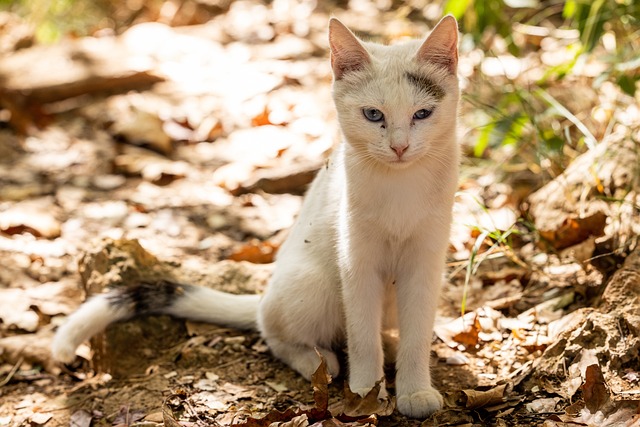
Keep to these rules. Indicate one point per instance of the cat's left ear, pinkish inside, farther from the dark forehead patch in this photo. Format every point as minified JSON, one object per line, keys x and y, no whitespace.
{"x":347,"y":53}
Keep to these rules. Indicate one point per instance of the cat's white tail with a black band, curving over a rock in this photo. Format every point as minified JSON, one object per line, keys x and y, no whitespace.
{"x":184,"y":301}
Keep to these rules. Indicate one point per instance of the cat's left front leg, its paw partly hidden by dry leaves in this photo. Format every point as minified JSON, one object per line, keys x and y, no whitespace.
{"x":363,"y":293}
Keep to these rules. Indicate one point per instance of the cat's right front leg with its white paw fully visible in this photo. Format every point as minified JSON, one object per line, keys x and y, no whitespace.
{"x":418,"y":288}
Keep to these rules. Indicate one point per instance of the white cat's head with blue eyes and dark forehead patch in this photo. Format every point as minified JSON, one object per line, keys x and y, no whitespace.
{"x":397,"y":104}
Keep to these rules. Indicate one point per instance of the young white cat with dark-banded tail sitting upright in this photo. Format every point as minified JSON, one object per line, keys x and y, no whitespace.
{"x":367,"y":252}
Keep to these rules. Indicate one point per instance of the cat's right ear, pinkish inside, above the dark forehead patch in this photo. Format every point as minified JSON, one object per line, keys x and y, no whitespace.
{"x":441,"y":47}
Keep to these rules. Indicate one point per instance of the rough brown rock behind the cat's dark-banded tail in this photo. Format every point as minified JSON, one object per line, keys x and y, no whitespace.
{"x":128,"y":348}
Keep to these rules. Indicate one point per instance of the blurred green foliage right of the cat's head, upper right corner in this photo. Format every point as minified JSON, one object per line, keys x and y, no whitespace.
{"x":608,"y":37}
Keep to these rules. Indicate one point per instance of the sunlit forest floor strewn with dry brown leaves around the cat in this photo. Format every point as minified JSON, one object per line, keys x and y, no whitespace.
{"x":184,"y":151}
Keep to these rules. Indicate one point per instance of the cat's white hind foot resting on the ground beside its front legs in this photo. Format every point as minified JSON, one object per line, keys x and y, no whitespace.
{"x":303,"y":358}
